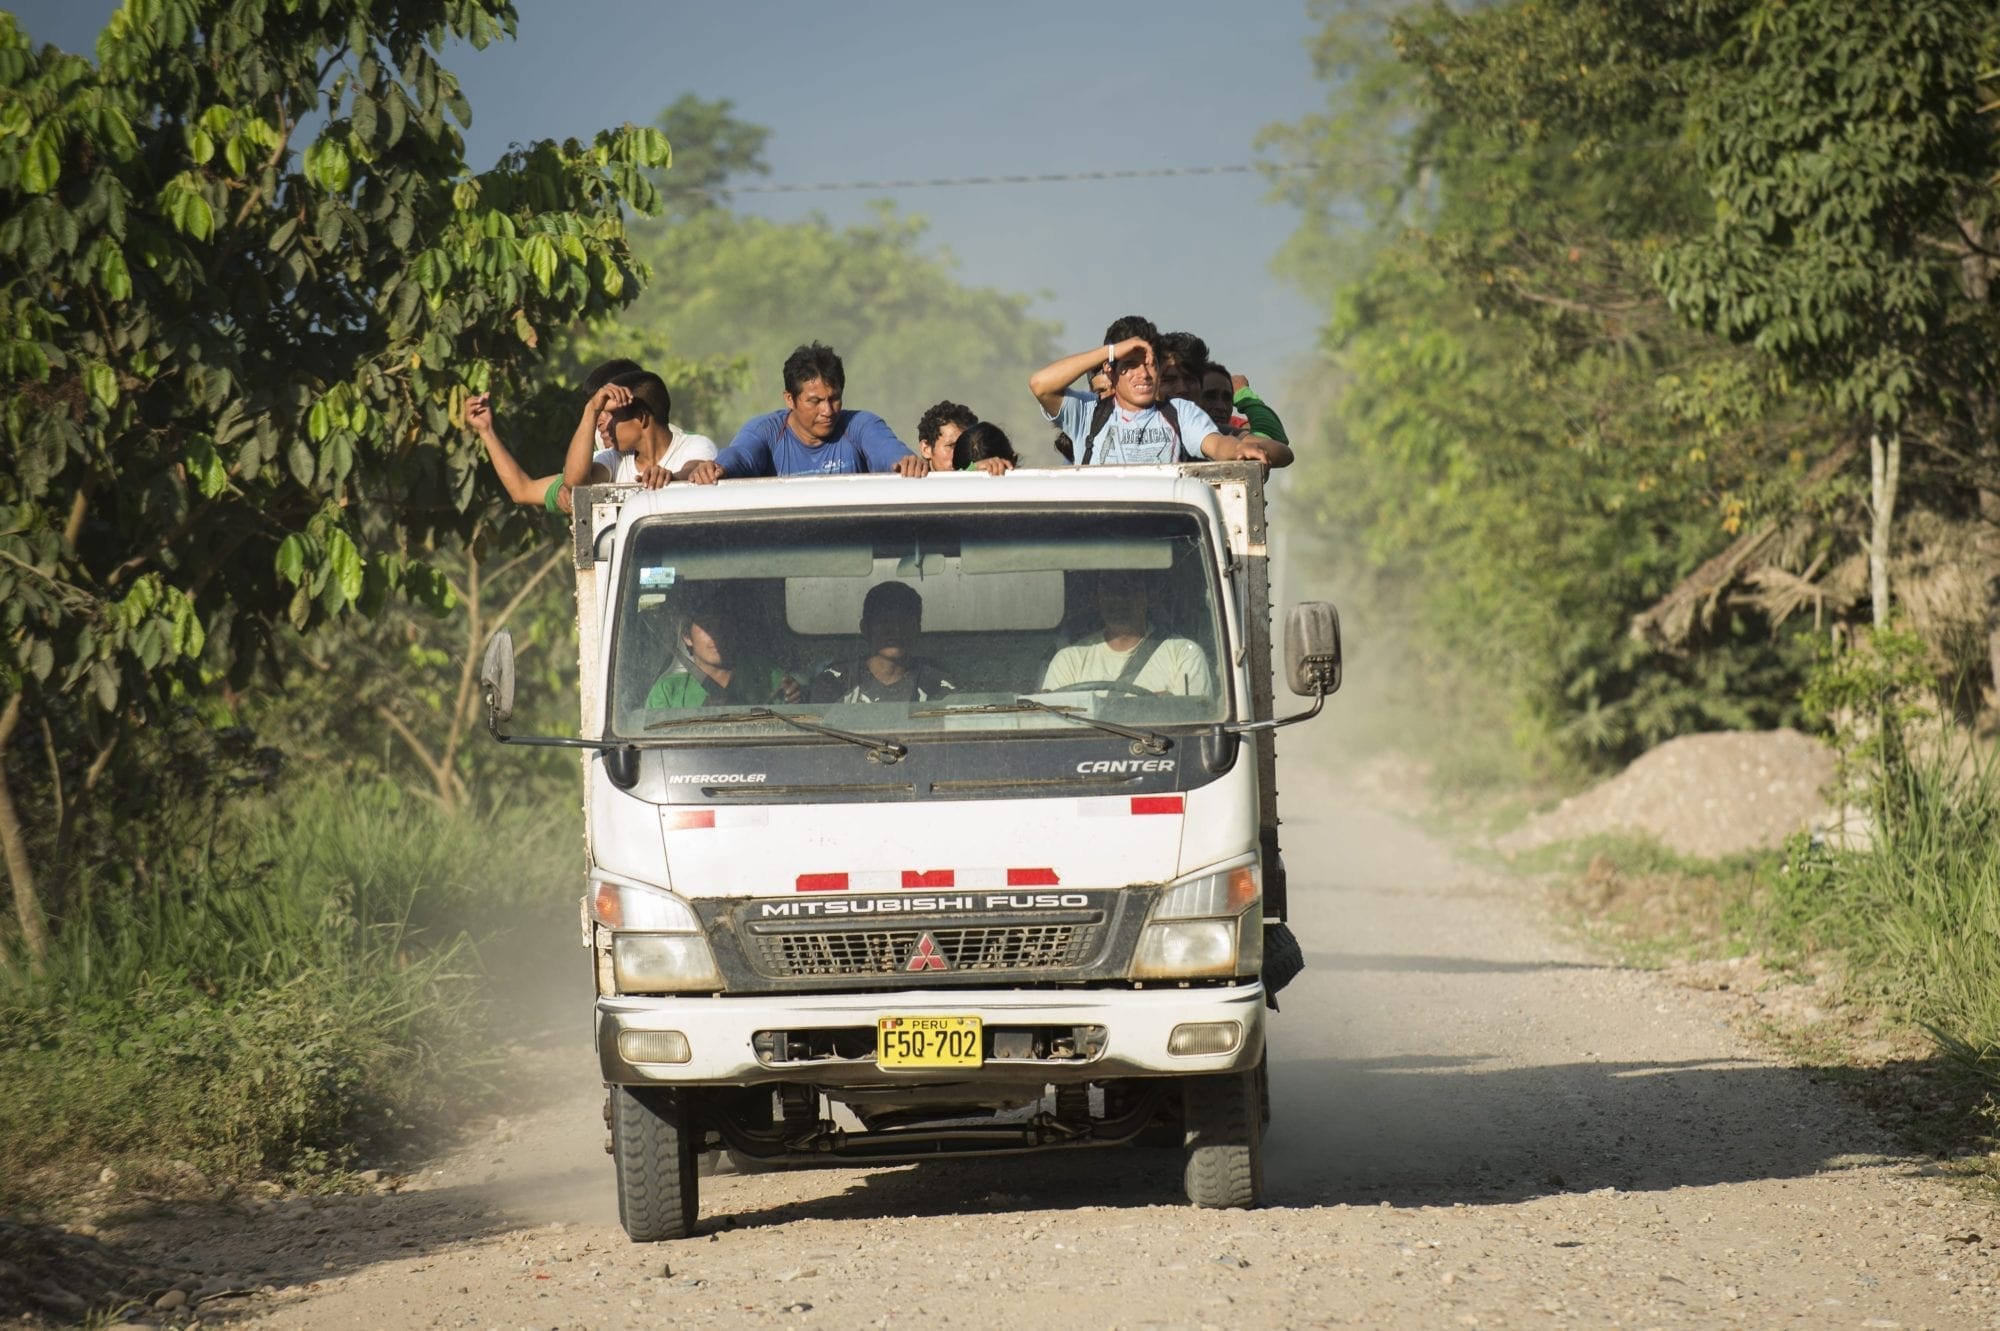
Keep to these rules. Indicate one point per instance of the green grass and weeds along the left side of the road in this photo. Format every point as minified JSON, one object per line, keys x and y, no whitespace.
{"x":291,"y":1006}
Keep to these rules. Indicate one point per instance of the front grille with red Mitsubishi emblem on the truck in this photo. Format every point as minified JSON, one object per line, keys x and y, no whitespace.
{"x":789,"y":954}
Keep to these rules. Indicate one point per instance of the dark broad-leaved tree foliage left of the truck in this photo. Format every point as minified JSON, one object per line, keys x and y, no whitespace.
{"x":249,"y":281}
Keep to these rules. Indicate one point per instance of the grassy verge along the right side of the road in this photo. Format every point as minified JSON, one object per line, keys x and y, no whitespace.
{"x":1877,"y":966}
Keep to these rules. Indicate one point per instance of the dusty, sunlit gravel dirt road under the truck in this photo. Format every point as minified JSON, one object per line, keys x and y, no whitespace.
{"x":1475,"y":1124}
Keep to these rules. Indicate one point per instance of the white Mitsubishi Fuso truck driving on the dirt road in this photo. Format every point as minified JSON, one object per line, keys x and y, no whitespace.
{"x":991,"y":906}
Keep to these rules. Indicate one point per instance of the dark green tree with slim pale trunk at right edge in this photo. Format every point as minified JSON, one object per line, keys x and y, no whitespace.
{"x":1851,"y":171}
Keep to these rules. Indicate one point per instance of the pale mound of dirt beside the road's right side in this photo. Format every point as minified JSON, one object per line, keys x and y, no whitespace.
{"x":1701,"y":796}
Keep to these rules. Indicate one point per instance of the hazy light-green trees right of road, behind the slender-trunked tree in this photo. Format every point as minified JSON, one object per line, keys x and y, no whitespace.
{"x":1525,"y":435}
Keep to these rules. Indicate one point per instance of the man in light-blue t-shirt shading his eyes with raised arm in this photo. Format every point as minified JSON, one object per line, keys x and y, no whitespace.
{"x":1135,"y":429}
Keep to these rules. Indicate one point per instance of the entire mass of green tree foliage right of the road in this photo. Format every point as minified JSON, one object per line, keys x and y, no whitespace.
{"x":1643,"y":273}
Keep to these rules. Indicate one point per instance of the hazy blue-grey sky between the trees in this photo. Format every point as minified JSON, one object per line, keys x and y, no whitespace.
{"x":895,"y":89}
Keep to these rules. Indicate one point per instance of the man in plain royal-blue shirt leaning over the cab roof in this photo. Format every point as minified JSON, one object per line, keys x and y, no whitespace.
{"x":811,"y":437}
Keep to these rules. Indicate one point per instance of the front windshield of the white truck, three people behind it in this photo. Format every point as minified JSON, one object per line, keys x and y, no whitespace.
{"x":917,"y":625}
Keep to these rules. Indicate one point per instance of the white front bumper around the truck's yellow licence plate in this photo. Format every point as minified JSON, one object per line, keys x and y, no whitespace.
{"x":1137,"y":1026}
